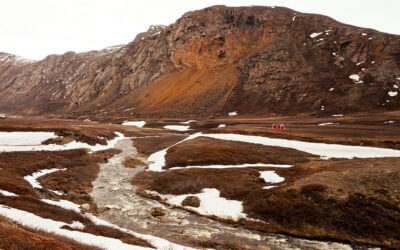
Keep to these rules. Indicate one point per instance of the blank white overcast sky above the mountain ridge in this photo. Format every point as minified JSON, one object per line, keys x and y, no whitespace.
{"x":36,"y":28}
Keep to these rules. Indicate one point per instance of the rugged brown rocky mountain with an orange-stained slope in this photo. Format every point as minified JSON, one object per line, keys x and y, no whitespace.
{"x":254,"y":60}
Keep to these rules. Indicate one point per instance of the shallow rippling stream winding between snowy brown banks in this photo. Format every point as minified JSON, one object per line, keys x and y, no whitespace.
{"x":113,"y":190}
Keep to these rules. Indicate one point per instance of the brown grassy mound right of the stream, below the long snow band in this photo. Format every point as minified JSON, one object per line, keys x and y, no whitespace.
{"x":349,"y":200}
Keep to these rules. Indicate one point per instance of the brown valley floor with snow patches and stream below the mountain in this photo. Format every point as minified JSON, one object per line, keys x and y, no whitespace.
{"x":321,"y":183}
